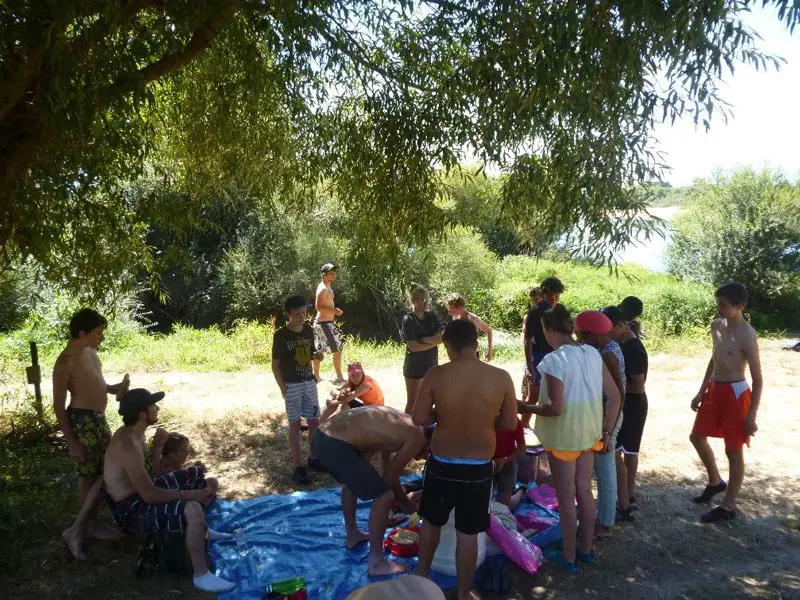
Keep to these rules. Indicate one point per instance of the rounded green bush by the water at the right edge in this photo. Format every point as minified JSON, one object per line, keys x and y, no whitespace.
{"x":743,"y":227}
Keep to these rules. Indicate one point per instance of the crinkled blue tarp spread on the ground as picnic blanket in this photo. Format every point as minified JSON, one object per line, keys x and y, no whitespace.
{"x":299,"y":534}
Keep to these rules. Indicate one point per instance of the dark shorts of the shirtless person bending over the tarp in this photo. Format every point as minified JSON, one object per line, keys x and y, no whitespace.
{"x":348,"y":467}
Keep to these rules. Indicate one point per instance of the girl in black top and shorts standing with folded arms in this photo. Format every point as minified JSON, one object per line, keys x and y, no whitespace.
{"x":422,"y":333}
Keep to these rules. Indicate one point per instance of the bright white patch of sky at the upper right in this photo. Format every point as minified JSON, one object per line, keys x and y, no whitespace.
{"x":764,"y":129}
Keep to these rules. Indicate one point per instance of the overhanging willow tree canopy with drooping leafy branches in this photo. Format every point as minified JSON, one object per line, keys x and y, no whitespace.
{"x":374,"y":99}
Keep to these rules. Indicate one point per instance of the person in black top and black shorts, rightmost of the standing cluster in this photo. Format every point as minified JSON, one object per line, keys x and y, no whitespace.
{"x":630,"y":433}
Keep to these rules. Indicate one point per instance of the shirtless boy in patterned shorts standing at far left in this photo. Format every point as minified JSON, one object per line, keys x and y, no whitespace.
{"x":83,"y":422}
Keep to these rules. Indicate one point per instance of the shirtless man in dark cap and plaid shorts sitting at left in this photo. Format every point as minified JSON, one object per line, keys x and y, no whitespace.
{"x":142,"y":506}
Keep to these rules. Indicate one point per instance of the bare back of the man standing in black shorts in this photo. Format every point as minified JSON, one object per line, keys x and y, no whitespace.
{"x":467,"y":396}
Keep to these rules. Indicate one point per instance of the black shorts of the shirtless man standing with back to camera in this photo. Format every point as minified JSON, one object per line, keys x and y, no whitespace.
{"x":465,"y":487}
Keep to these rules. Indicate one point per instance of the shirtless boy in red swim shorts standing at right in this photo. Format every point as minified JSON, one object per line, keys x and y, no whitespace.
{"x":725,"y":405}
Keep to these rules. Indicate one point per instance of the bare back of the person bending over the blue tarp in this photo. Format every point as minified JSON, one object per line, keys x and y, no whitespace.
{"x":370,"y":428}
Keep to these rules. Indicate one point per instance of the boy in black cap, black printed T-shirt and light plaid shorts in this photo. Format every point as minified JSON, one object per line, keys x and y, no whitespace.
{"x":292,"y":350}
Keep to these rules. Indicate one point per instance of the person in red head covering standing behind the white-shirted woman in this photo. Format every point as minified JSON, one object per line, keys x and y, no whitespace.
{"x":594,"y":329}
